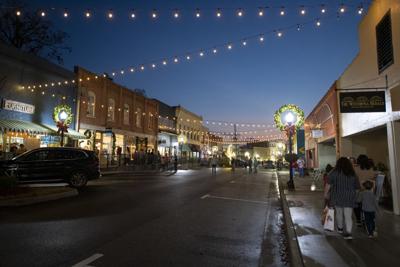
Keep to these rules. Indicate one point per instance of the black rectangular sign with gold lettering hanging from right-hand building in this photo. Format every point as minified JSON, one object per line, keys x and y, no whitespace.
{"x":353,"y":102}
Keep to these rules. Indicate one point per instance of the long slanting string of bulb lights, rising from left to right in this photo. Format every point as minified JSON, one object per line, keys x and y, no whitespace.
{"x":188,"y":56}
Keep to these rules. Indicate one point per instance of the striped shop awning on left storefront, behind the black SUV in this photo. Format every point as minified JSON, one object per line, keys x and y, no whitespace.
{"x":23,"y":127}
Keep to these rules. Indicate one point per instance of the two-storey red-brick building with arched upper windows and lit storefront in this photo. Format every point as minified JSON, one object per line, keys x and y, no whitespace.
{"x":113,"y":116}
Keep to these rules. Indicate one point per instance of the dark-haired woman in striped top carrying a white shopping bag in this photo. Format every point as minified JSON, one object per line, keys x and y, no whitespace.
{"x":342,"y":186}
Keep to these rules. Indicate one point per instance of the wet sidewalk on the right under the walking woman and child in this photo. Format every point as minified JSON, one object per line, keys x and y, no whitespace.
{"x":321,"y":248}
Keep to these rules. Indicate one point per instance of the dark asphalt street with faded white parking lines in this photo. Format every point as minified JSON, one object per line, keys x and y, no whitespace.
{"x":188,"y":219}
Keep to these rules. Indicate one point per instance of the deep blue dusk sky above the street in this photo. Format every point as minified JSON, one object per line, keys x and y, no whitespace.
{"x":243,"y":84}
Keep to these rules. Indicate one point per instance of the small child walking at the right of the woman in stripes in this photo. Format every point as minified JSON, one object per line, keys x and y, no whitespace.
{"x":369,"y":207}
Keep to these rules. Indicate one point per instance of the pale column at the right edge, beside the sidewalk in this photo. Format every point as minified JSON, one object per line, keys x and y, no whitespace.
{"x":393,"y":131}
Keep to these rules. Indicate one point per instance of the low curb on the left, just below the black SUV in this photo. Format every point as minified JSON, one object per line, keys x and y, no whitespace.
{"x":38,"y":199}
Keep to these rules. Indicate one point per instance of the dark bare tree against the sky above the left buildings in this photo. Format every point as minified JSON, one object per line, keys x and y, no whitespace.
{"x":30,"y":32}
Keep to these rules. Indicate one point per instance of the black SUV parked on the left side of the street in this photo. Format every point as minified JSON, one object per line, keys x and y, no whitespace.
{"x":72,"y":165}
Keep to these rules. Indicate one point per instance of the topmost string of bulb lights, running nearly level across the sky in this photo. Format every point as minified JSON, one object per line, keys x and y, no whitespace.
{"x":196,"y":13}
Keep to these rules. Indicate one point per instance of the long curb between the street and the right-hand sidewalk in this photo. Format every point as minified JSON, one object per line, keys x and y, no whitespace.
{"x":296,"y":258}
